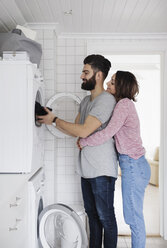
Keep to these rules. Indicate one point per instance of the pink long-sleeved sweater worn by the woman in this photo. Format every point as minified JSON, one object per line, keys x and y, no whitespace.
{"x":125,"y":127}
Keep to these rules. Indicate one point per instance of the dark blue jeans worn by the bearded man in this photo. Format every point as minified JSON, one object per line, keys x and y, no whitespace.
{"x":98,"y":196}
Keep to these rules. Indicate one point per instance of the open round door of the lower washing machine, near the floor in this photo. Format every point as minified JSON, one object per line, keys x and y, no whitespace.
{"x":61,"y":227}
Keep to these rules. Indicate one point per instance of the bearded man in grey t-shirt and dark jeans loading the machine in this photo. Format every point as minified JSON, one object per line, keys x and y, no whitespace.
{"x":97,"y":165}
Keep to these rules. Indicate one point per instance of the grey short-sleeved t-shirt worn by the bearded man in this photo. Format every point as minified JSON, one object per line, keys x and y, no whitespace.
{"x":98,"y":160}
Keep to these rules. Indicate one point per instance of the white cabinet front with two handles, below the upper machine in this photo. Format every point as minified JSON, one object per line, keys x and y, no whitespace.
{"x":13,"y":213}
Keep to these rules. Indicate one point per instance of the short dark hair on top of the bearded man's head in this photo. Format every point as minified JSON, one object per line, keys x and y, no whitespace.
{"x":98,"y":63}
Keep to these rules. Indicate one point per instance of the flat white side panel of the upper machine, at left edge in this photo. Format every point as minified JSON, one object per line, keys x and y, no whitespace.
{"x":13,"y":132}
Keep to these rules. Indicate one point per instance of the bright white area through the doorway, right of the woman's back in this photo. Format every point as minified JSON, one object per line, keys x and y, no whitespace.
{"x":148,"y":107}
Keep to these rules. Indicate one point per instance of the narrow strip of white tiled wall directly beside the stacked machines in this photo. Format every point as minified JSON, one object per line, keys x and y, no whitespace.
{"x":46,"y":39}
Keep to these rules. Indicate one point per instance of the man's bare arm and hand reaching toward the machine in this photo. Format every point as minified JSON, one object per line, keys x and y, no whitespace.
{"x":74,"y":129}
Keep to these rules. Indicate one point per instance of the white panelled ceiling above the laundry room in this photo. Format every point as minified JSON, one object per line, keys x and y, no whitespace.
{"x":87,"y":16}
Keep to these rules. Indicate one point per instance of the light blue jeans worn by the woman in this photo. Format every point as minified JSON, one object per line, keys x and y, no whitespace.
{"x":135,"y":177}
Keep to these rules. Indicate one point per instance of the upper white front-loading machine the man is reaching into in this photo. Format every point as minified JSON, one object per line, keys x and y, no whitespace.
{"x":22,"y":139}
